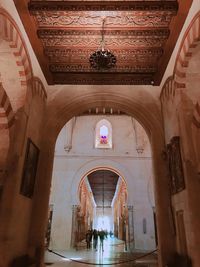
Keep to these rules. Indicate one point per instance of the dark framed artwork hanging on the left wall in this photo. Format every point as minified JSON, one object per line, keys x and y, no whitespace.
{"x":30,"y":169}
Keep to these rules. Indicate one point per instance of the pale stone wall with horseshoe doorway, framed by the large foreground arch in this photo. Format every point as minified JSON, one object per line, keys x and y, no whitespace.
{"x":77,"y":159}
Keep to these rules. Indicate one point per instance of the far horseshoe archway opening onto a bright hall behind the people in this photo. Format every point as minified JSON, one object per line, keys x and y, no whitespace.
{"x":103,"y":201}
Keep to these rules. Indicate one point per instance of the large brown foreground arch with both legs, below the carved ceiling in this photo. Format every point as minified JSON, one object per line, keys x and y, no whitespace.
{"x":62,"y":108}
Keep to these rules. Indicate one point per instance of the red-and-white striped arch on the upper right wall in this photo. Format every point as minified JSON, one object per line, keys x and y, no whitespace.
{"x":183,"y":84}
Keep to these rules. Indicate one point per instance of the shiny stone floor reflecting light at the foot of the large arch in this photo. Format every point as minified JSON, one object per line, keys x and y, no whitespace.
{"x":114,"y":254}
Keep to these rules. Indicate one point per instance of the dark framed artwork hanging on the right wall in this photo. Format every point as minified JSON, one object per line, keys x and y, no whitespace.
{"x":175,"y":165}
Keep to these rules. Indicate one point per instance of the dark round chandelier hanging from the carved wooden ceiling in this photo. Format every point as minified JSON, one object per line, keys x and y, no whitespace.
{"x":102,"y":58}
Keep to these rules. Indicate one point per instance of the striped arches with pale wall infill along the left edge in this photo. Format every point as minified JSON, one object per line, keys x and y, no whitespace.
{"x":14,"y":82}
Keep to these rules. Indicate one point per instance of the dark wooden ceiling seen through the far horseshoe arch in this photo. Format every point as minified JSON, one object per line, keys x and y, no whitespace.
{"x":103,"y":185}
